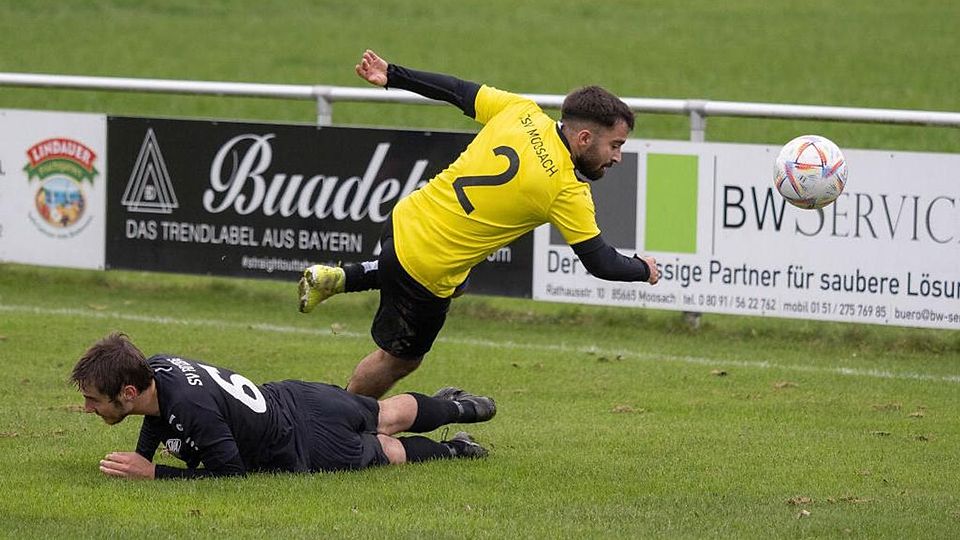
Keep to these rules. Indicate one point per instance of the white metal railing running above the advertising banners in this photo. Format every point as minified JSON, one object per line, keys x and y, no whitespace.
{"x":324,"y":96}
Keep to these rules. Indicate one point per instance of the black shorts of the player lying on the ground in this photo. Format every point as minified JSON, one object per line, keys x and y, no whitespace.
{"x":341,"y":428}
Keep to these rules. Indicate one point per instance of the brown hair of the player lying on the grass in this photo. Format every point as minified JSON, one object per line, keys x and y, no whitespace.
{"x":111,"y":364}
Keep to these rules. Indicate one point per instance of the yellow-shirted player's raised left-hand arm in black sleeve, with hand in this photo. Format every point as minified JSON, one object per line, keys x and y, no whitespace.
{"x":378,"y":72}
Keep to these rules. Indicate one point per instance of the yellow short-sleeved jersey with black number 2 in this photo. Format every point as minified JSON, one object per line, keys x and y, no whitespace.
{"x":515,"y":175}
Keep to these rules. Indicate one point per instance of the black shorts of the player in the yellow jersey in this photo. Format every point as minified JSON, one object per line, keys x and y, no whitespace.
{"x":409,"y":316}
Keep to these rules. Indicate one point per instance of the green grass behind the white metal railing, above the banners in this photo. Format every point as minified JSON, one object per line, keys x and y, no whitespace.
{"x":862,"y":54}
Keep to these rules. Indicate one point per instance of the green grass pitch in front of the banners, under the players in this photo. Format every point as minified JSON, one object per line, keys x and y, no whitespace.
{"x":612,"y":423}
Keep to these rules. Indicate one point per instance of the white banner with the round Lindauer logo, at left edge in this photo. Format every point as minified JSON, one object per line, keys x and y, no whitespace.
{"x":52,"y":188}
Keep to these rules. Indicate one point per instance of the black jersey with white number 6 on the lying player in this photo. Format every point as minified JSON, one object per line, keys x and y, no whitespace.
{"x":215,"y":417}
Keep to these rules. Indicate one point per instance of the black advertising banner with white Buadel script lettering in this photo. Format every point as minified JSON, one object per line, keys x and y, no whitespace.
{"x":267,"y":200}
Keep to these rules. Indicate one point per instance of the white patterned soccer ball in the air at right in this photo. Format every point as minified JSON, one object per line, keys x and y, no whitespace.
{"x":810,"y":172}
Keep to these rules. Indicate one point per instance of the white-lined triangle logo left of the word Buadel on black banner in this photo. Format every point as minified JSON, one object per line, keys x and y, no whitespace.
{"x":149,"y":188}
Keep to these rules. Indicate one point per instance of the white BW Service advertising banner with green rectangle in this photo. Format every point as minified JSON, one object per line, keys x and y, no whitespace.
{"x":886,"y":252}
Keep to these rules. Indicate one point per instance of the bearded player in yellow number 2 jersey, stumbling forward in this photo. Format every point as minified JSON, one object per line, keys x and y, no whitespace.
{"x":522,"y":169}
